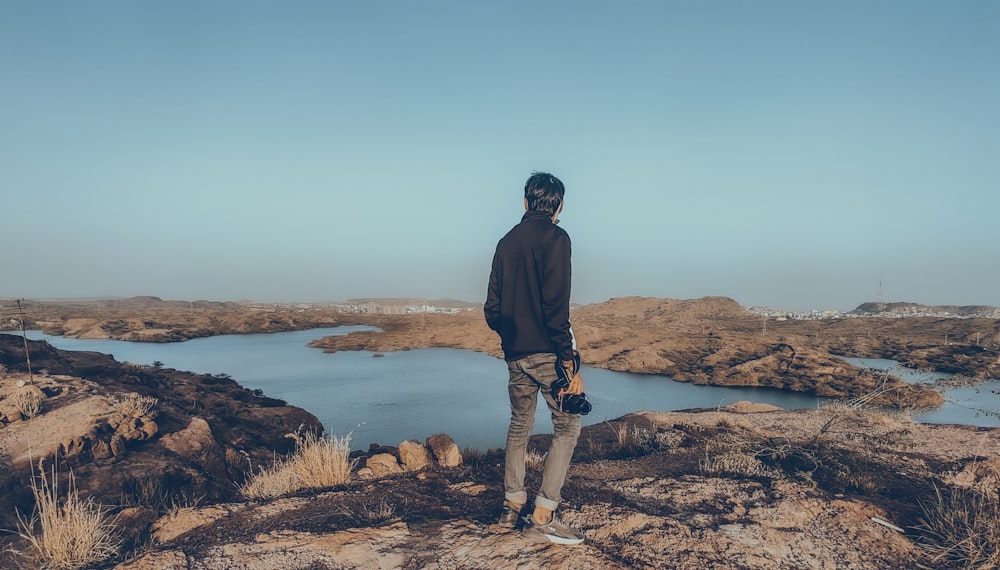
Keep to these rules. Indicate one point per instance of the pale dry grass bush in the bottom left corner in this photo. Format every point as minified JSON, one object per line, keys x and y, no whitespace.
{"x":71,"y":534}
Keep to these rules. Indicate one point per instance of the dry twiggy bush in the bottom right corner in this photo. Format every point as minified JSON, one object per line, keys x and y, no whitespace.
{"x":961,"y":529}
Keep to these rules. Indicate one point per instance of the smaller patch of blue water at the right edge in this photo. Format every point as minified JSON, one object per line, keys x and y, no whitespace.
{"x":975,"y":405}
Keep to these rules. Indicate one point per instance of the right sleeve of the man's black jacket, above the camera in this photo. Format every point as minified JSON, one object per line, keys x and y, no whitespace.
{"x":556,"y":280}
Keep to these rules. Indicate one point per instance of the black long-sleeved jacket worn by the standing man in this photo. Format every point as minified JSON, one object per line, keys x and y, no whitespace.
{"x":528,"y":298}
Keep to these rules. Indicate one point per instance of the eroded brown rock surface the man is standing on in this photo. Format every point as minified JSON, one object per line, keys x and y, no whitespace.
{"x":651,"y":501}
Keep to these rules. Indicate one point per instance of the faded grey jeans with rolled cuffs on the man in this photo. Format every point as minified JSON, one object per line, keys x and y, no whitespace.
{"x":528,"y":376}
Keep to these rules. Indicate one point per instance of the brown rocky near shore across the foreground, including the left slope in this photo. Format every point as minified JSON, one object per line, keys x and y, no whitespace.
{"x":744,"y":487}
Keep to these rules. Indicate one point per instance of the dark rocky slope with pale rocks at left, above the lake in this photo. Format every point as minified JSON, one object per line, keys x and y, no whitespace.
{"x":131,"y":435}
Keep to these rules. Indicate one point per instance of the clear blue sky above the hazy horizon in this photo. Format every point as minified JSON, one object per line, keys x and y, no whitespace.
{"x":785,"y":153}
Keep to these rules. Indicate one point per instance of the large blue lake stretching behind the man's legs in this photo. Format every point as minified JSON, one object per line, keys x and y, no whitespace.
{"x":417,"y":393}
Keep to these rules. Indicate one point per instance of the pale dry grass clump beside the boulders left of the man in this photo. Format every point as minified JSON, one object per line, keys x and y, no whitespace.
{"x":318,"y":462}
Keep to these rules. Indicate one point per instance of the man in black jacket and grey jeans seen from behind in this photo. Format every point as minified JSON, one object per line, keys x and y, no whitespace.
{"x":528,"y":305}
